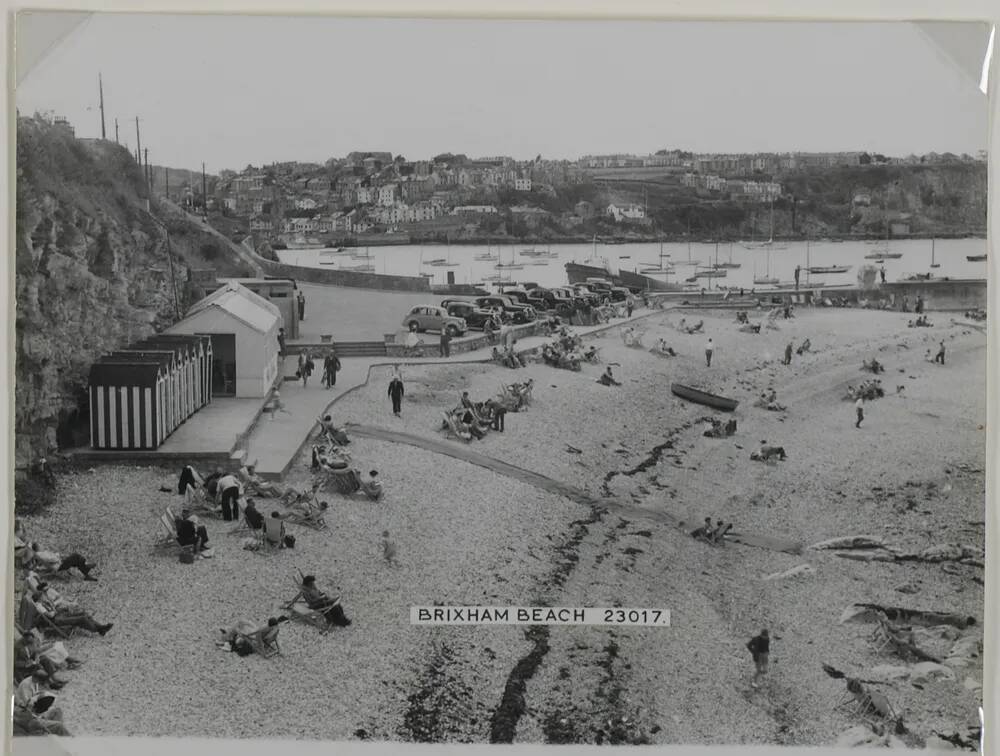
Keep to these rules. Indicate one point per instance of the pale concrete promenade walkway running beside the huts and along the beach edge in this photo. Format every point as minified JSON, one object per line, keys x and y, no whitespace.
{"x":276,"y":442}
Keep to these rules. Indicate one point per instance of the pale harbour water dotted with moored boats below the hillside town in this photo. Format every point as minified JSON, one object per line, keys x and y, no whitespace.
{"x":778,"y":262}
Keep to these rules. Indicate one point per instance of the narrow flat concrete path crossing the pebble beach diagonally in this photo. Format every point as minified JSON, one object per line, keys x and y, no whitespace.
{"x":461,"y":450}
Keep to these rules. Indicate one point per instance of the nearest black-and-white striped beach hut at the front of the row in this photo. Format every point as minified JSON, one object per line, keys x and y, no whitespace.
{"x":127,"y":404}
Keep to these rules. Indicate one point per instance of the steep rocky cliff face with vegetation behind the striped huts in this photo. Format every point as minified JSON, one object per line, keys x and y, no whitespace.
{"x":92,"y":274}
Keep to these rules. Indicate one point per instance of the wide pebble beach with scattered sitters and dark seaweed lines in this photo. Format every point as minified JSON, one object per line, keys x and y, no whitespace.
{"x":644,"y":474}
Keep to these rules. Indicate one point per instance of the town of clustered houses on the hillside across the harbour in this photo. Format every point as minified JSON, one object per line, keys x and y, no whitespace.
{"x":449,"y":197}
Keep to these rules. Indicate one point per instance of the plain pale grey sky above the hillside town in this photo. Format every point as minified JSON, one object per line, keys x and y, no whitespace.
{"x":229,"y":91}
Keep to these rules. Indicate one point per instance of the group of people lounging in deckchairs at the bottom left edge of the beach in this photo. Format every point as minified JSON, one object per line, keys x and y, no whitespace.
{"x":42,"y":610}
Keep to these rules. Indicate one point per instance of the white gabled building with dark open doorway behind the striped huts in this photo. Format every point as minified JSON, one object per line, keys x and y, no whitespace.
{"x":244,"y":330}
